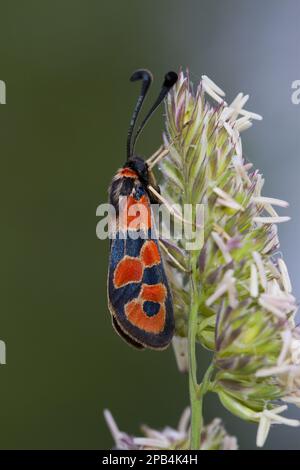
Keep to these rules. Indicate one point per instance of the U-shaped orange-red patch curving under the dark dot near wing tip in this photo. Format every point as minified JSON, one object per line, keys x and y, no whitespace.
{"x":137,"y":317}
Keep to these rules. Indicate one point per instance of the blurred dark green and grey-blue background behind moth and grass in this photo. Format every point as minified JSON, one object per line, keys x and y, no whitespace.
{"x":66,"y":65}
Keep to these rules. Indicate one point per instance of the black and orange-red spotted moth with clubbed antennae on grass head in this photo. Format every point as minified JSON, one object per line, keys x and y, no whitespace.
{"x":139,"y":296}
